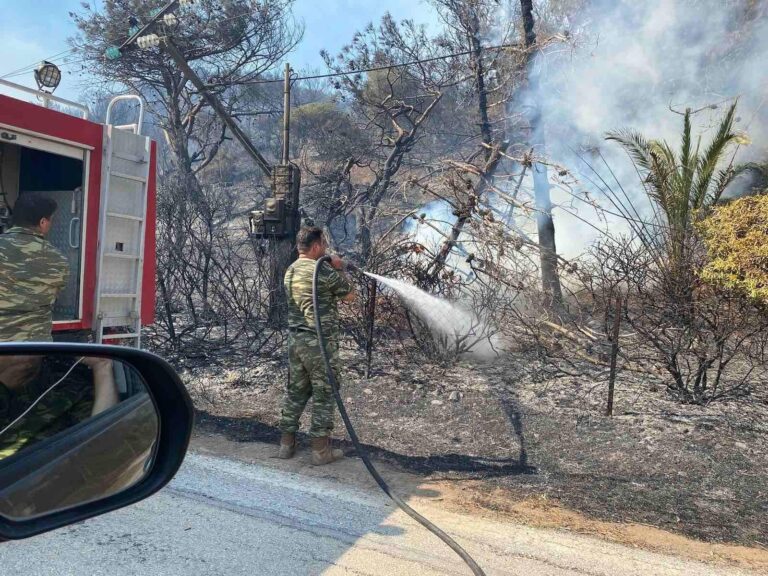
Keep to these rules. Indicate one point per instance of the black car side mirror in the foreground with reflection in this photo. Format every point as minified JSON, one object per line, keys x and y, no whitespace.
{"x":84,"y":429}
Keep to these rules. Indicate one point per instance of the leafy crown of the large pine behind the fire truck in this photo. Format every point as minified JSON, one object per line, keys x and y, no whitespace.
{"x":228,"y":42}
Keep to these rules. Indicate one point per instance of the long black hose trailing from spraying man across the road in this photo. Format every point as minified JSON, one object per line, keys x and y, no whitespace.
{"x":356,"y":441}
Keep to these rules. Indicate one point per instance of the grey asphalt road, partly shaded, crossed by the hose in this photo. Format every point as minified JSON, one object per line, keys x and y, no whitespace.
{"x":226,"y":517}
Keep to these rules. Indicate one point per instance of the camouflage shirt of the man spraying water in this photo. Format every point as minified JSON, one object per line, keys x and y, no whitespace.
{"x":332,"y":286}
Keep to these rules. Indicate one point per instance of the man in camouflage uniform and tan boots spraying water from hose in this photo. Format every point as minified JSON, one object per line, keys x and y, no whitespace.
{"x":307,"y":369}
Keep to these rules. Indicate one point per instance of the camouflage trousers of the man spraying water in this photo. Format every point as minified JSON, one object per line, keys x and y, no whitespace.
{"x":308,"y":378}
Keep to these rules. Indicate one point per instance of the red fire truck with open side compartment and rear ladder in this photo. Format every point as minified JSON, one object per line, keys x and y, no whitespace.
{"x":103,"y":178}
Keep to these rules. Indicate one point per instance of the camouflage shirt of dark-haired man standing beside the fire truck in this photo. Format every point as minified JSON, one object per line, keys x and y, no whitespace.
{"x":32,"y":272}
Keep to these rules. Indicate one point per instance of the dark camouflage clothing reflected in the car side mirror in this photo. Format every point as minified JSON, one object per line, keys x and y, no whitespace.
{"x":63,"y":407}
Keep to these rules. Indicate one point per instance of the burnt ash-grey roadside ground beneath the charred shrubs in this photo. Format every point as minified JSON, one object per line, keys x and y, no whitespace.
{"x":698,"y":471}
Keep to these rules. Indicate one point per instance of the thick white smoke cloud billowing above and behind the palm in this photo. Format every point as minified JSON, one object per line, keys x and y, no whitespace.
{"x":628,"y":64}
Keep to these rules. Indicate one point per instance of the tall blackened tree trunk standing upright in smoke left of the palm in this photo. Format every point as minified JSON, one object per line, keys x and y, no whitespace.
{"x":550,"y":278}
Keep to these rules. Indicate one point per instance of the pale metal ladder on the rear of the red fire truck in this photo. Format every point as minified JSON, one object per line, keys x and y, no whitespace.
{"x":123,"y":228}
